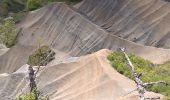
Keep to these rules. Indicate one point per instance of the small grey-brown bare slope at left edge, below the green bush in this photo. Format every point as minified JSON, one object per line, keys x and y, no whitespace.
{"x":14,"y":58}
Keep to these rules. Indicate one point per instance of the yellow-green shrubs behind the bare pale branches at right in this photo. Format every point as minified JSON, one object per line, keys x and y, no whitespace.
{"x":150,"y":72}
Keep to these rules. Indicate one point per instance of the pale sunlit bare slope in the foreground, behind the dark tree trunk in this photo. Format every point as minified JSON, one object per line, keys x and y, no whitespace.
{"x":89,"y":77}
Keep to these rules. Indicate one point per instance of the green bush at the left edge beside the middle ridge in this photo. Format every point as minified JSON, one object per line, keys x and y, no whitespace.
{"x":8,"y":33}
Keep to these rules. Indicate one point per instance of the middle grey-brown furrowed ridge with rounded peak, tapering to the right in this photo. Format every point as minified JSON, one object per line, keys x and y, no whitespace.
{"x":67,"y":31}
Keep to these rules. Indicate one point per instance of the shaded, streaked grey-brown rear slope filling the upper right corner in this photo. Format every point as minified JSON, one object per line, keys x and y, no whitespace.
{"x":142,"y":21}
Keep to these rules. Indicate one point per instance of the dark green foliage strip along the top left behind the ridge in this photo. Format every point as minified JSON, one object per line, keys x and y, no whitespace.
{"x":16,"y":6}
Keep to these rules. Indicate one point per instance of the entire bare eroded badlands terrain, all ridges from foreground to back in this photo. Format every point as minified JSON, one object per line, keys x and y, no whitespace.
{"x":82,"y":36}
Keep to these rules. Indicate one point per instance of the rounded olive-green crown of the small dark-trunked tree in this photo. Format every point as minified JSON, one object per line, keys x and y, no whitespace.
{"x":38,"y":58}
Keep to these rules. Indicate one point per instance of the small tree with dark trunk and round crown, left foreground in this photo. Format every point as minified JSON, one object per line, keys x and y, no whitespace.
{"x":41,"y":57}
